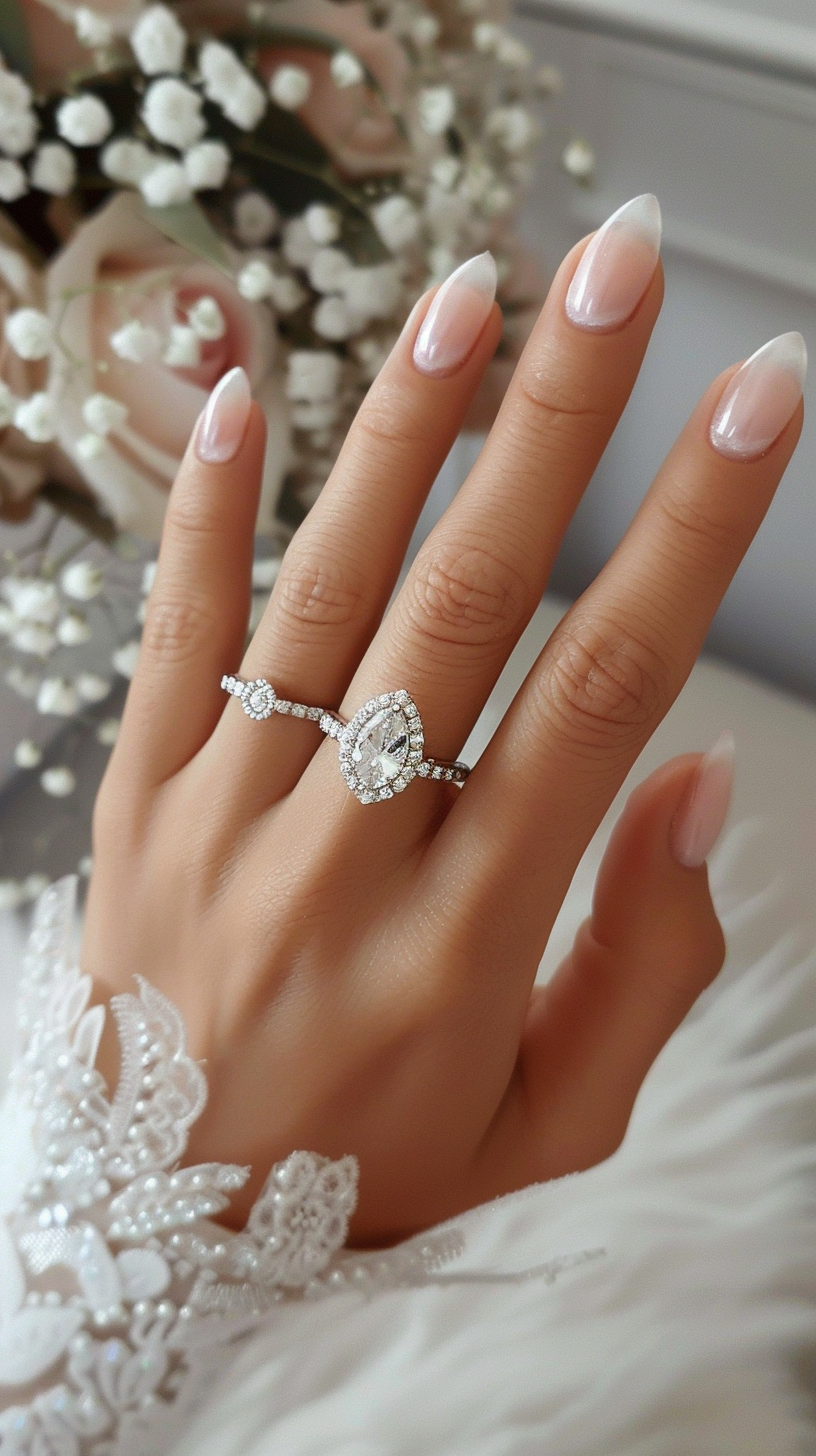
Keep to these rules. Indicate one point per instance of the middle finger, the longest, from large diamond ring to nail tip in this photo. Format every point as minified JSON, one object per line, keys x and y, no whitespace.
{"x":483,"y":570}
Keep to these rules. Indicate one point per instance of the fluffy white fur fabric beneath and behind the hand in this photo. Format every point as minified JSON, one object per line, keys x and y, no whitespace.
{"x":693,"y":1332}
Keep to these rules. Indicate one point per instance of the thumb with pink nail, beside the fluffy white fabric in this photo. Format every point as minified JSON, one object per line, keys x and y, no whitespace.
{"x":651,"y":947}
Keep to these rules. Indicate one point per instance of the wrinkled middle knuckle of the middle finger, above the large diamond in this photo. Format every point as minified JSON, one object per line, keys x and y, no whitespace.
{"x":466,"y":596}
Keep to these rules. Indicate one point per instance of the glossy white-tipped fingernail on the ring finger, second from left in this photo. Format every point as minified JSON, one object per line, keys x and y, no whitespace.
{"x":457,"y":317}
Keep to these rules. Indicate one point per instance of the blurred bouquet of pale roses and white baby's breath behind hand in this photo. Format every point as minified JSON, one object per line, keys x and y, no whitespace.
{"x":216,"y":183}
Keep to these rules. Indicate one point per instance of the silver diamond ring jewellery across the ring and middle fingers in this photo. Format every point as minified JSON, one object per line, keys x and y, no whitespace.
{"x":381,"y":749}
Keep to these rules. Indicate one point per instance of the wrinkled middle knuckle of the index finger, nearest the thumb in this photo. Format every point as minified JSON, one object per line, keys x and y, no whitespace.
{"x":603,"y":684}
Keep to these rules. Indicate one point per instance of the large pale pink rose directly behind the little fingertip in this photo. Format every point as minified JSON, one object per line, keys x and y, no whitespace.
{"x":119,"y":269}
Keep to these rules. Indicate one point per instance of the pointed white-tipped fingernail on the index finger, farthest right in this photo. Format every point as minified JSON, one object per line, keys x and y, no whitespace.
{"x":760,"y":400}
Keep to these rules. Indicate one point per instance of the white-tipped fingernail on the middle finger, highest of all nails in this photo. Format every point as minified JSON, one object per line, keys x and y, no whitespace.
{"x":617,"y":267}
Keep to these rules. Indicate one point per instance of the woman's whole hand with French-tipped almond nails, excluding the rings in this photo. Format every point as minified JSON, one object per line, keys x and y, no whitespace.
{"x":359,"y":978}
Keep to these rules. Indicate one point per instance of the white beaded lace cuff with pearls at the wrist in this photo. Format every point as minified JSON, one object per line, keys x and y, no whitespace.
{"x":117,"y":1291}
